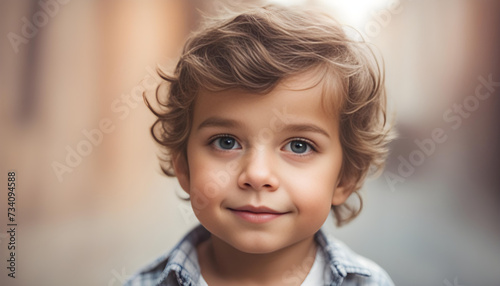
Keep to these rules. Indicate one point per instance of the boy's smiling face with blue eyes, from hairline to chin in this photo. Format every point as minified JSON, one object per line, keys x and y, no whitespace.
{"x":279,"y":152}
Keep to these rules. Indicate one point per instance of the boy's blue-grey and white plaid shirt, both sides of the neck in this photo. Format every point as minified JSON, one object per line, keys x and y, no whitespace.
{"x":180,"y":266}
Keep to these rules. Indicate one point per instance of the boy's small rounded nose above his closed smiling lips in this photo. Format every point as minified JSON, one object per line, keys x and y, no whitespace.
{"x":258,"y":172}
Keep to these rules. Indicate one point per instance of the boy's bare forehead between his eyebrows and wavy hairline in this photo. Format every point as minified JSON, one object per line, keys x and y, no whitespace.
{"x":304,"y":98}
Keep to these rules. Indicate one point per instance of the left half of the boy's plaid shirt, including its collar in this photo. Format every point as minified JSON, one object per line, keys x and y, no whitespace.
{"x":177,"y":267}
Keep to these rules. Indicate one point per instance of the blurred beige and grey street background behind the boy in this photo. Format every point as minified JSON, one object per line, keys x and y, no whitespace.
{"x":92,"y":205}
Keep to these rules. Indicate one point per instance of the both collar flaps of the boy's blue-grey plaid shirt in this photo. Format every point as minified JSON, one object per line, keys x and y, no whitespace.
{"x":182,"y":264}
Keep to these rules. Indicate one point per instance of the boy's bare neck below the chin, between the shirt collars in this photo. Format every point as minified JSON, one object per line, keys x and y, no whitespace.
{"x":222,"y":263}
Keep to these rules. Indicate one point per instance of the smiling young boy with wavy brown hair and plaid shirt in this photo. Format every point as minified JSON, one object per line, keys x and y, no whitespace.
{"x":273,"y":118}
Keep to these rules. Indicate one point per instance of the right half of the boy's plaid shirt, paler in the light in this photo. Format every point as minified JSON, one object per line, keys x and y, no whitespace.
{"x":348,"y":266}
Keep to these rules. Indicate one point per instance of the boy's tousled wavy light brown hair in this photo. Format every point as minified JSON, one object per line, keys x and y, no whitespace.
{"x":254,"y":51}
